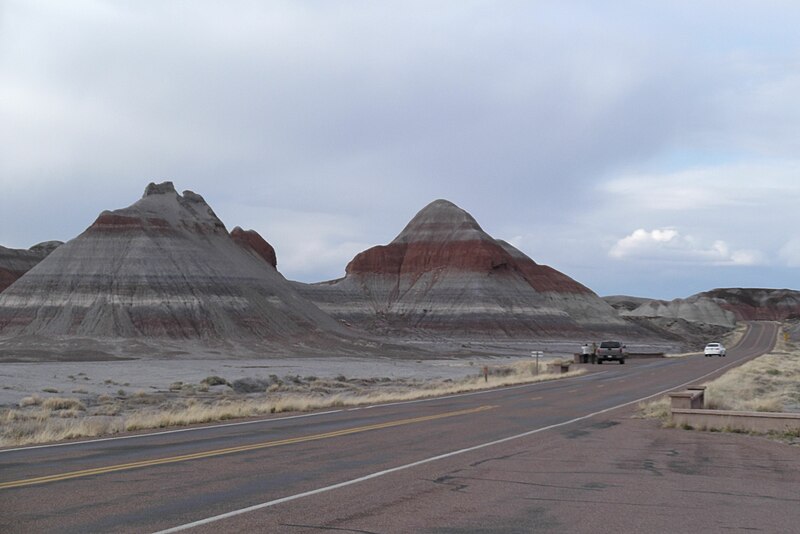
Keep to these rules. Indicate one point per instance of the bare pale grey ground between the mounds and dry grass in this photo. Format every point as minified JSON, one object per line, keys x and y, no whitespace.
{"x":84,"y":368}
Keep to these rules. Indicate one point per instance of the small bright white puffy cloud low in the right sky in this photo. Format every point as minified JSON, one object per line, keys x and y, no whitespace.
{"x":669,"y":245}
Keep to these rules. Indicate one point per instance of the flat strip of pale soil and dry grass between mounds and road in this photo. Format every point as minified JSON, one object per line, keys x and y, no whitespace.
{"x":57,"y":401}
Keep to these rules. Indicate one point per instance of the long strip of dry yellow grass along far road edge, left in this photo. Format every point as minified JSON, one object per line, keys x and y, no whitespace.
{"x":41,"y":420}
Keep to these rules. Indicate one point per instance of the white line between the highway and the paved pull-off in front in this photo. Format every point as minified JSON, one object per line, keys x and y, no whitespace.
{"x":332,"y":487}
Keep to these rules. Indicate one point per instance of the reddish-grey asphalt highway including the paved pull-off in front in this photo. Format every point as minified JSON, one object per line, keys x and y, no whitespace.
{"x":562,"y":456}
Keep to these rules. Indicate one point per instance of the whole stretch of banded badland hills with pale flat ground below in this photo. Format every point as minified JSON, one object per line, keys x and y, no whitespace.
{"x":159,"y":300}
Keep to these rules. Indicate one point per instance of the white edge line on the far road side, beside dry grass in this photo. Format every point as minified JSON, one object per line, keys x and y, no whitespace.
{"x":257,"y":421}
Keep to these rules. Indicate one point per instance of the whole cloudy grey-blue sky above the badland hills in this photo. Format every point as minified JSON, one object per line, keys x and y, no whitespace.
{"x":642,"y":148}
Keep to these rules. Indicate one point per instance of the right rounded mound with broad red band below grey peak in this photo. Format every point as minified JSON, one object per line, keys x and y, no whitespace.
{"x":443,"y":275}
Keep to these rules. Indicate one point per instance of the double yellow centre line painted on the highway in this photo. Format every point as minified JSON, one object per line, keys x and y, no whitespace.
{"x":233,"y":450}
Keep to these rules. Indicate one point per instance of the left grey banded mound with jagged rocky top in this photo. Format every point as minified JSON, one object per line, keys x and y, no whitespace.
{"x":165,"y":267}
